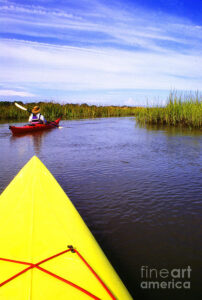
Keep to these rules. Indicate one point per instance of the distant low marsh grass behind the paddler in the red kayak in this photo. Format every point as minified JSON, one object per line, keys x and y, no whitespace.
{"x":51,"y":111}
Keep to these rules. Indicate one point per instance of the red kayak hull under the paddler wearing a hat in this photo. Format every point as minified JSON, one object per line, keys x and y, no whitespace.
{"x":34,"y":127}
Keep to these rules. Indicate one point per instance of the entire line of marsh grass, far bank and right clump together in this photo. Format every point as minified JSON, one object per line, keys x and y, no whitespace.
{"x":183,"y":111}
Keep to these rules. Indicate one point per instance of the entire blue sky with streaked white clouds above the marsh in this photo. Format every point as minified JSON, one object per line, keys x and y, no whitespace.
{"x":99,"y":52}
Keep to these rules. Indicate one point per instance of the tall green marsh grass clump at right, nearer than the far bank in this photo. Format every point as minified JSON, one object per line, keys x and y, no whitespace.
{"x":183,"y":111}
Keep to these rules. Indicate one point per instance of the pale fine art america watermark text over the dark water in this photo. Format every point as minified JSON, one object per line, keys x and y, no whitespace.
{"x":178,"y":278}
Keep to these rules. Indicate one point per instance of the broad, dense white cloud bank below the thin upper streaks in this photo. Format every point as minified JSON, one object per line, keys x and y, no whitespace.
{"x":83,"y":68}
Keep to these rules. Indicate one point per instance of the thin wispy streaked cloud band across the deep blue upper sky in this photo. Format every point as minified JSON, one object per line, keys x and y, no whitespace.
{"x":133,"y":28}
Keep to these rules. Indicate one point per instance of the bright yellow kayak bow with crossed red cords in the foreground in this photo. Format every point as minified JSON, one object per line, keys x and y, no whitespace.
{"x":47,"y":252}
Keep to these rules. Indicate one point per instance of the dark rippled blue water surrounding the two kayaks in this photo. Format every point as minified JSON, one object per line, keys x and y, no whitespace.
{"x":138,"y":190}
